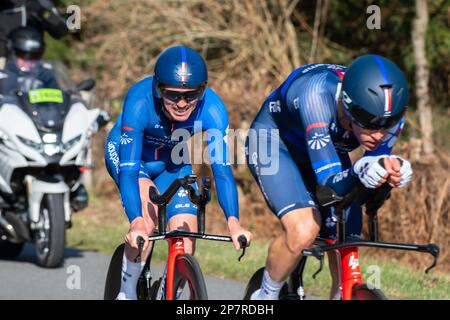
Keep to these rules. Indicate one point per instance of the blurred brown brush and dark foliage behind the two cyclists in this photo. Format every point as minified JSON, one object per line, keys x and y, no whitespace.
{"x":251,"y":47}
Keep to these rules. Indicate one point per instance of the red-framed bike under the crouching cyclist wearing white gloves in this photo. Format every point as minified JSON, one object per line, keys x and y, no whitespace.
{"x":352,"y":286}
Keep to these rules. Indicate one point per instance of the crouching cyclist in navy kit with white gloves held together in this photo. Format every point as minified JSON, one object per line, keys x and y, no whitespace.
{"x":318,"y":115}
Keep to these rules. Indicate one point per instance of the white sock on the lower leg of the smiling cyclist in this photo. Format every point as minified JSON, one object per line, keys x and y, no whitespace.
{"x":129,"y":278}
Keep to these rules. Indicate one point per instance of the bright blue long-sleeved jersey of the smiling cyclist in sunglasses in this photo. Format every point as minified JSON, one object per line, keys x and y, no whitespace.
{"x":147,"y":135}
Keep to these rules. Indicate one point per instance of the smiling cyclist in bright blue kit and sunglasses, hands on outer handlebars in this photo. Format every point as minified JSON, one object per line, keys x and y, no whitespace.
{"x":142,"y":151}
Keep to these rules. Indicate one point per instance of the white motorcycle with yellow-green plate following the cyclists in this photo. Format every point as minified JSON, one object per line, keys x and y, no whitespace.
{"x":45,"y":137}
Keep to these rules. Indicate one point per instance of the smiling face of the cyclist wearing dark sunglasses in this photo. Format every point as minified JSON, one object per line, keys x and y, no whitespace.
{"x":179,"y":109}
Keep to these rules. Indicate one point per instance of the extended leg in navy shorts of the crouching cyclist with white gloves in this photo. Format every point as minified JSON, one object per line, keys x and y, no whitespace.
{"x":293,"y":204}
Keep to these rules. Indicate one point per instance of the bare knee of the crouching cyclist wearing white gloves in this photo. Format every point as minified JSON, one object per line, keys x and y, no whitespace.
{"x":301,"y":229}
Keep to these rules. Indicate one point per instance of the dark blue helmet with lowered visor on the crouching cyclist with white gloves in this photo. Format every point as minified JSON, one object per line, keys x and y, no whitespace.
{"x":374,"y":92}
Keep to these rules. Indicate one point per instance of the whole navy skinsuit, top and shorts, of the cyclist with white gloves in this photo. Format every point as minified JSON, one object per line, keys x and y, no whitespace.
{"x":312,"y":146}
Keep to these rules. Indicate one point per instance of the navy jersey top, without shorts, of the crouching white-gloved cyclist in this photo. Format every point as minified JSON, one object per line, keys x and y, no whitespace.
{"x":304,"y":109}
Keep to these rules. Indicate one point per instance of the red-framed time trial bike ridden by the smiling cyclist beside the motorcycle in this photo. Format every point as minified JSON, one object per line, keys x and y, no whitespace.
{"x":182,"y":268}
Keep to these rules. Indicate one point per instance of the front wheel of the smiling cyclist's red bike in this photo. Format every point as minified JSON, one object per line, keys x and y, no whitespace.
{"x":187,"y":270}
